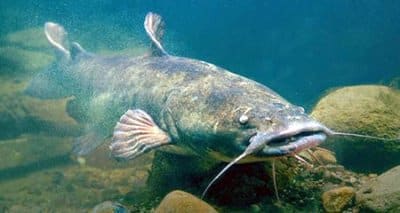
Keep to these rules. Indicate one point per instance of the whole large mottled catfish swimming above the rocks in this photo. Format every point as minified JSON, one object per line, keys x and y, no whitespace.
{"x":163,"y":100}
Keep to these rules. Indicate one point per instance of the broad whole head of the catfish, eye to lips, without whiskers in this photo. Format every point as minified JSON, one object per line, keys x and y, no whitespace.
{"x":265,"y":126}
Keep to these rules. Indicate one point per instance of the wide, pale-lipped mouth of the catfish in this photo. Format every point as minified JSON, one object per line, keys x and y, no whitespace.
{"x":294,"y":139}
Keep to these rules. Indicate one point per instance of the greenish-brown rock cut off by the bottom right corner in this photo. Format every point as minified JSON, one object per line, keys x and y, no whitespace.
{"x":381,"y":194}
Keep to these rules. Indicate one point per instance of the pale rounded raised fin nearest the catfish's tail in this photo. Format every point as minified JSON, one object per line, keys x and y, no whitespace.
{"x":57,"y":37}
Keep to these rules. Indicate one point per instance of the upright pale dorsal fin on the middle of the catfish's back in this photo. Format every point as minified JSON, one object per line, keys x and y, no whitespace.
{"x":153,"y":24}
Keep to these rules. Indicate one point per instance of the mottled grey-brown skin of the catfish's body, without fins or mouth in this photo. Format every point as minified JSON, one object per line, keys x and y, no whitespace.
{"x":197,"y":103}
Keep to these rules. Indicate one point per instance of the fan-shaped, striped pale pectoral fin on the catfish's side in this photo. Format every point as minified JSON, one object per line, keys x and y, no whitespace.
{"x":135,"y":134}
